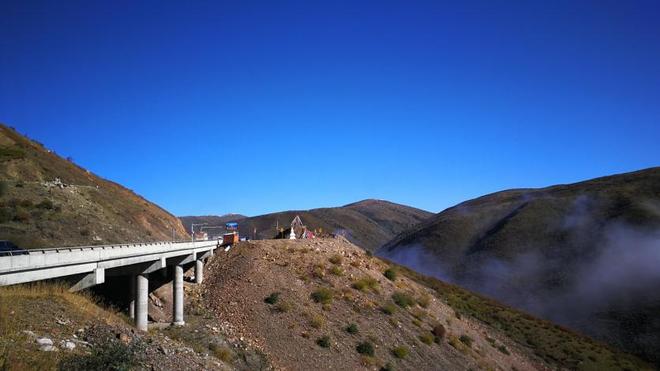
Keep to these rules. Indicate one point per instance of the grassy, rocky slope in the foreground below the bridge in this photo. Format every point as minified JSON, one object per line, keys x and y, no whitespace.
{"x":84,"y":336}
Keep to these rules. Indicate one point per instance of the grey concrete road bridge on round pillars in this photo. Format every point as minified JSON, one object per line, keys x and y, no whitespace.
{"x":86,"y":266}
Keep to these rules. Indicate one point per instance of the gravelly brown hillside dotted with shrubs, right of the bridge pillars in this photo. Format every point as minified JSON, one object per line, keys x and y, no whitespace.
{"x":327,"y":304}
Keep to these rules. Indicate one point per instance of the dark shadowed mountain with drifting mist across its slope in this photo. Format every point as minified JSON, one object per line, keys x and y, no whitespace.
{"x":585,"y":255}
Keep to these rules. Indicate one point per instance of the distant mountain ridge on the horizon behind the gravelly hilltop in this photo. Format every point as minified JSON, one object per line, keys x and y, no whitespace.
{"x":368,"y":223}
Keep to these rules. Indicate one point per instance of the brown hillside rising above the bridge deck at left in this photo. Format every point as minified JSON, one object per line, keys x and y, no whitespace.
{"x":47,"y":201}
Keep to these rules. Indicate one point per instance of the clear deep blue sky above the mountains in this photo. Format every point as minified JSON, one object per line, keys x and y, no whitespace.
{"x":253,"y":107}
